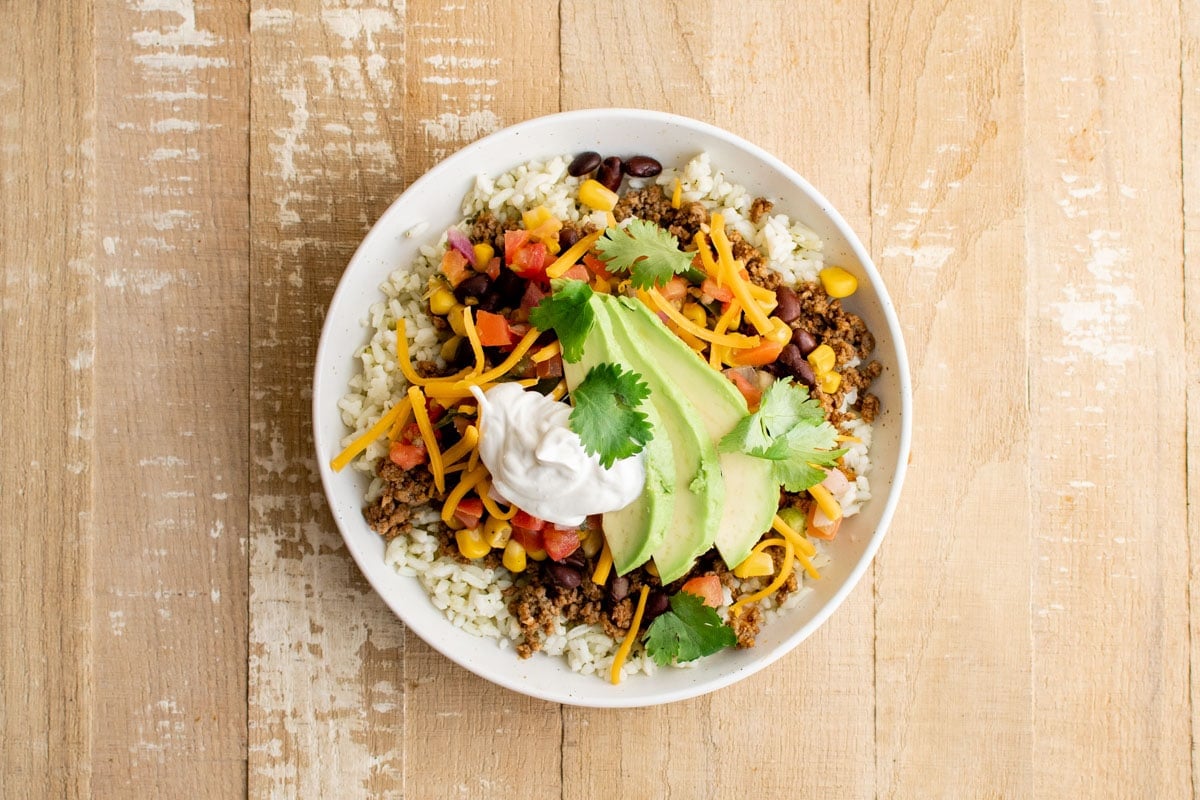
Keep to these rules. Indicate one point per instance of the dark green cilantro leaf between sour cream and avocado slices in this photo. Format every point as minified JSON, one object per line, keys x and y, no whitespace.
{"x":607,"y":418}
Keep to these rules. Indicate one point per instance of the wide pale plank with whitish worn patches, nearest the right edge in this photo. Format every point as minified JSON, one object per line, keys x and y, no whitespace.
{"x":1108,"y":460}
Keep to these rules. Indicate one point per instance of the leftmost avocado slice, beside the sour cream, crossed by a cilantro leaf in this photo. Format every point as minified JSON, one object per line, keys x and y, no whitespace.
{"x":635,"y":532}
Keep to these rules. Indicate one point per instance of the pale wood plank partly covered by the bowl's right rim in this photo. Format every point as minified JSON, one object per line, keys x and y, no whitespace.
{"x":953,"y":657}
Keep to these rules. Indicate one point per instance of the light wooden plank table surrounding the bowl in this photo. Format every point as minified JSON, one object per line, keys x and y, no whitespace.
{"x":183,"y":185}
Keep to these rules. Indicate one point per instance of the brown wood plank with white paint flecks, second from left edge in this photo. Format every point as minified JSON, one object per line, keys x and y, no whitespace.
{"x":170,"y":619}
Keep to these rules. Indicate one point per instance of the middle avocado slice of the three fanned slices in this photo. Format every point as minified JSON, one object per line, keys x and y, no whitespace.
{"x":700,"y":491}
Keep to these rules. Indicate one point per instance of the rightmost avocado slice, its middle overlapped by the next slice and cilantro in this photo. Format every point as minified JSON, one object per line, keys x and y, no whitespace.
{"x":752,"y":492}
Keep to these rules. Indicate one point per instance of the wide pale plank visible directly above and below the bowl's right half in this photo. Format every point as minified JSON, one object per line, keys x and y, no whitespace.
{"x":785,"y":63}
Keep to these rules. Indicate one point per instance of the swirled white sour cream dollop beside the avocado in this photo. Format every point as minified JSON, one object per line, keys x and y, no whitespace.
{"x":539,"y":465}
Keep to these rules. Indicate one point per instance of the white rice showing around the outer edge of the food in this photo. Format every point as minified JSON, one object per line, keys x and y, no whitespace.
{"x":472,"y":597}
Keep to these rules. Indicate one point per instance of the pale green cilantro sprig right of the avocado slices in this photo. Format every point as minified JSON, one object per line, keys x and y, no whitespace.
{"x":791,"y":431}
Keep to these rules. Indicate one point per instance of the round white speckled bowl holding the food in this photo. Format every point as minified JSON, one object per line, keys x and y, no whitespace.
{"x":435,"y":200}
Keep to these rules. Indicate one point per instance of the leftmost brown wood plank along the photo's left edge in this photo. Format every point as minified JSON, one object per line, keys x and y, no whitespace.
{"x":47,"y":322}
